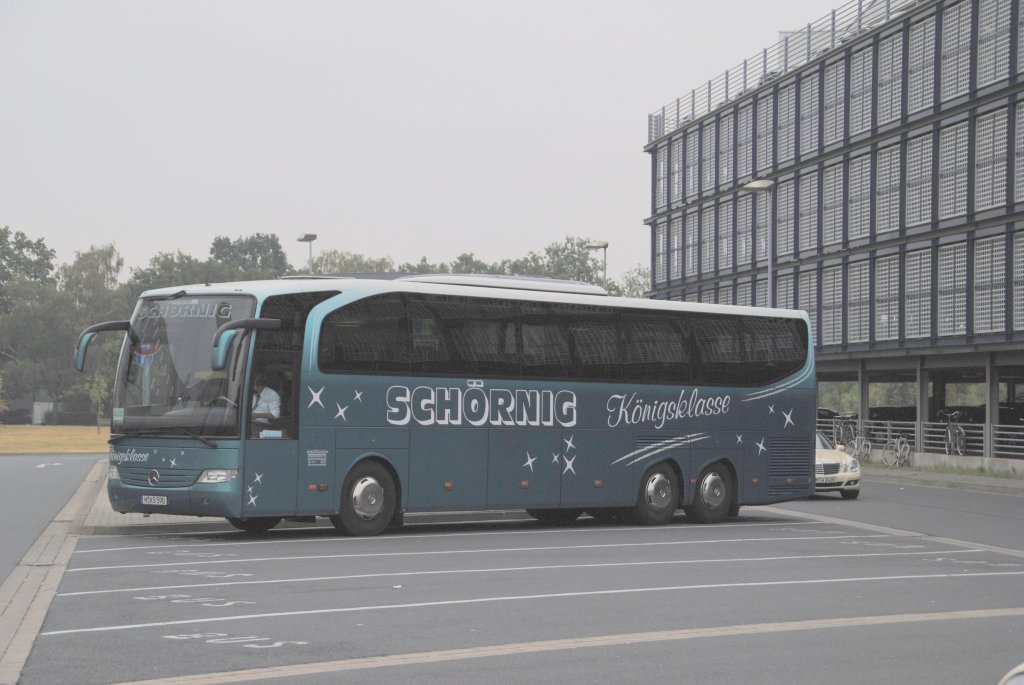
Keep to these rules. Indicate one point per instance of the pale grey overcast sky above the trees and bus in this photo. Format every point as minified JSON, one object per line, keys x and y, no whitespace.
{"x":396,"y":129}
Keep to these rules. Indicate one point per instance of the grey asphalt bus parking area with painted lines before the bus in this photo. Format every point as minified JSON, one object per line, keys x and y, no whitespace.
{"x":498,"y":597}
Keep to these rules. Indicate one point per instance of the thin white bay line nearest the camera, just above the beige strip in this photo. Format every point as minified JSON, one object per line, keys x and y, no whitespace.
{"x":523,"y":598}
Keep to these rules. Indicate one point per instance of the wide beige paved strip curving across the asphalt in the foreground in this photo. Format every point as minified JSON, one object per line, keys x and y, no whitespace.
{"x":601,"y":643}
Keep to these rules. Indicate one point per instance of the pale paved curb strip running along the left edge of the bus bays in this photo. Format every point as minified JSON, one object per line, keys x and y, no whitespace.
{"x":26,"y":595}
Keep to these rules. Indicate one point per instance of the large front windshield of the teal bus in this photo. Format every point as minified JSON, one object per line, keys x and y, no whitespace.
{"x":165,"y":382}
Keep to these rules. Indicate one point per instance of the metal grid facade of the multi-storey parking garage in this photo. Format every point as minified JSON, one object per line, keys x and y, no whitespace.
{"x":898,"y":157}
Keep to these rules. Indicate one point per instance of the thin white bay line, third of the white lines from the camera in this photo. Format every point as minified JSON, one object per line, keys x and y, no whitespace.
{"x":515,"y":550}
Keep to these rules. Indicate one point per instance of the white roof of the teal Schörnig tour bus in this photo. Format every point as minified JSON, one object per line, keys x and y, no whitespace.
{"x":548,"y":290}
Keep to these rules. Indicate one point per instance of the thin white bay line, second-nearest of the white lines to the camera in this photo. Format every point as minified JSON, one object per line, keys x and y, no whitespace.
{"x":324,"y":579}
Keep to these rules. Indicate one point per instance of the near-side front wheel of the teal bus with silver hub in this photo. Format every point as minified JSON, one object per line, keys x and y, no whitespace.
{"x":369,"y":500}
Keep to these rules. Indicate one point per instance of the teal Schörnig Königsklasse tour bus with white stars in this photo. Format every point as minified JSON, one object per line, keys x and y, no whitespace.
{"x":362,"y":399}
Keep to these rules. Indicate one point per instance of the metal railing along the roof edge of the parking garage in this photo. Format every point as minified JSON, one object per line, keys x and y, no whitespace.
{"x":796,"y":50}
